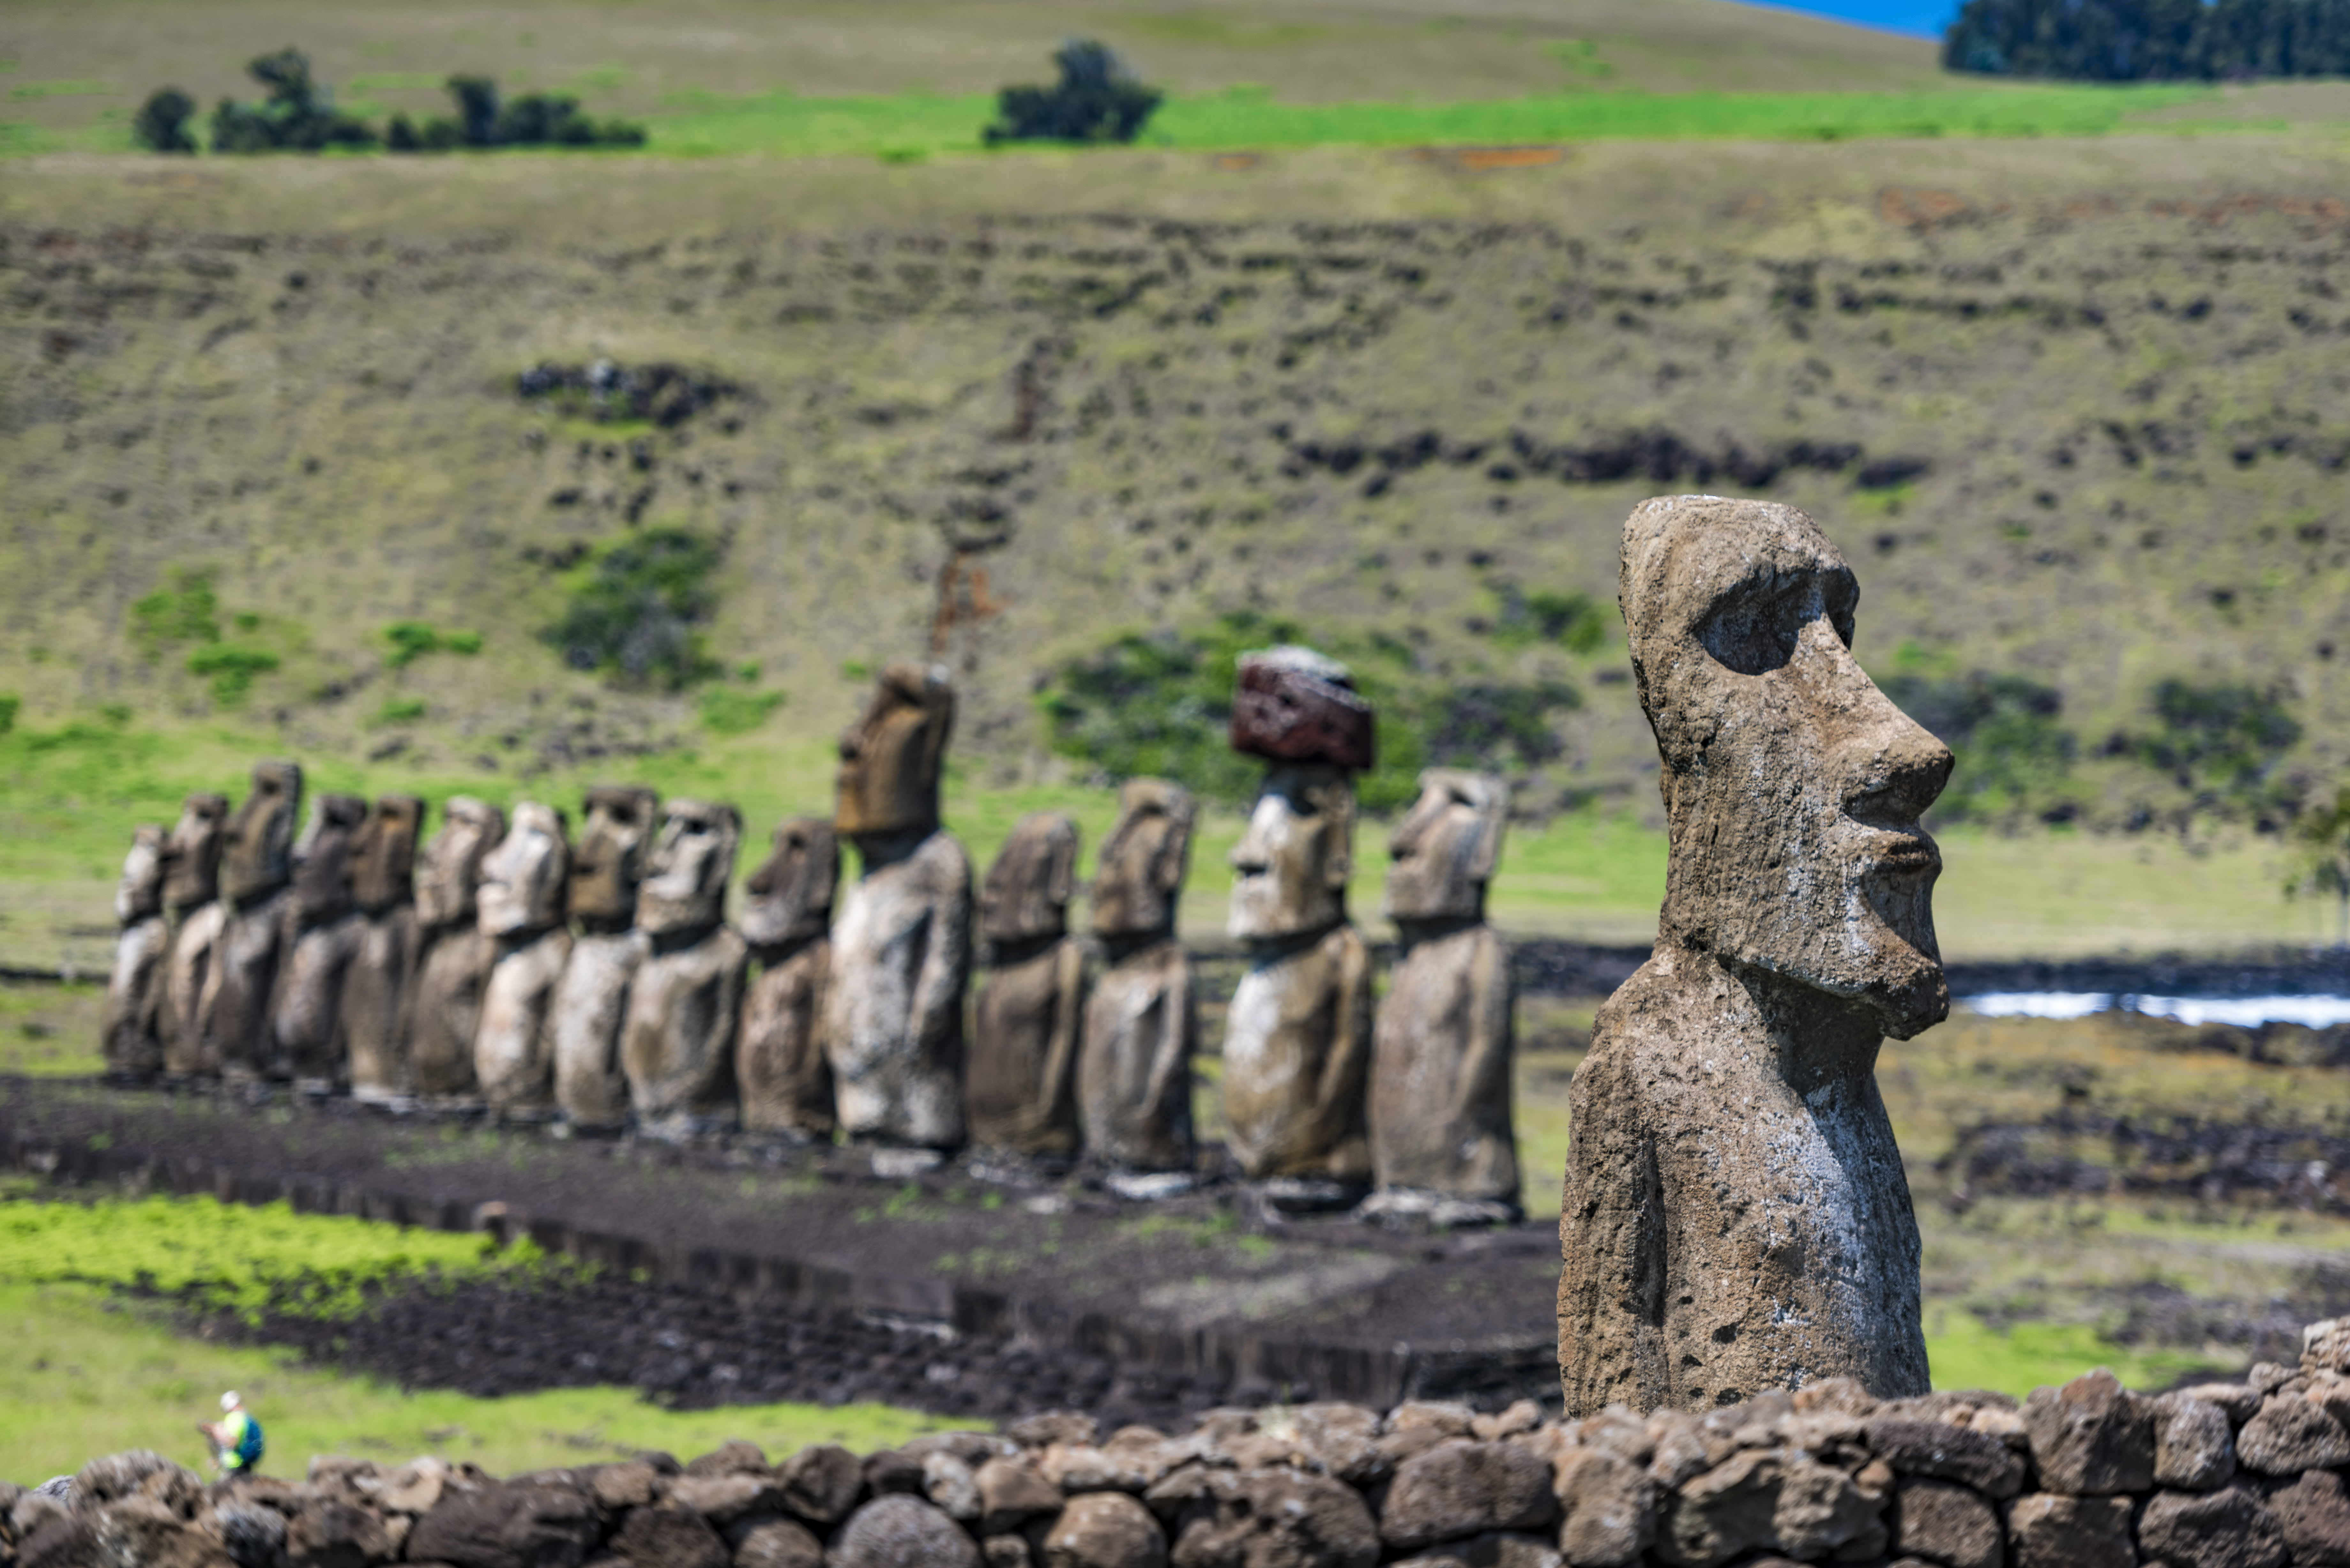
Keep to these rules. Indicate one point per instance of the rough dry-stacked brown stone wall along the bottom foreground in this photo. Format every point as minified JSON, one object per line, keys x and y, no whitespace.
{"x":2086,"y":1475}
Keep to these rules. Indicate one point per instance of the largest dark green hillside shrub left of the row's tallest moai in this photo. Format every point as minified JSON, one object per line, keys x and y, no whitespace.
{"x":636,"y":610}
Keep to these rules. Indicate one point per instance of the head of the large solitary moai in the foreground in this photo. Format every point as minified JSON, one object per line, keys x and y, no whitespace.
{"x":1792,"y":786}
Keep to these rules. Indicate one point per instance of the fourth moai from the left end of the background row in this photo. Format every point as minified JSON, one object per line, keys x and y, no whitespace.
{"x":323,"y":937}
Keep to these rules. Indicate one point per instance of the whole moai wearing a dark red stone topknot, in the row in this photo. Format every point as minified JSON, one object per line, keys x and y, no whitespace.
{"x":1298,"y":1036}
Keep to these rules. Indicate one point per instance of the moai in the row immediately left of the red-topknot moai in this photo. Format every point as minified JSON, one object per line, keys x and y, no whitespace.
{"x":1134,"y":1071}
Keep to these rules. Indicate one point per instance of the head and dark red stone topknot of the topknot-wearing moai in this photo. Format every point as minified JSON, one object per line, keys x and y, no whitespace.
{"x":1301,"y":711}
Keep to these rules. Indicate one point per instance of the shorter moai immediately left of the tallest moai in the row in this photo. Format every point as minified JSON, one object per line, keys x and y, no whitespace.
{"x":788,"y":920}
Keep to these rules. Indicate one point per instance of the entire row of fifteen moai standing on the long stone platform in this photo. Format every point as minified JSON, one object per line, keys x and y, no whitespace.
{"x":598,"y":984}
